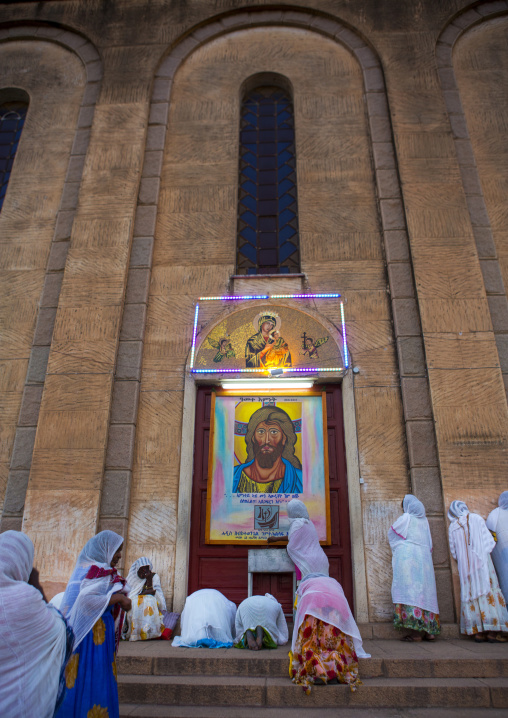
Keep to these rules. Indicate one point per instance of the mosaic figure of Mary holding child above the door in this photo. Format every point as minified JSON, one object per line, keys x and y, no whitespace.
{"x":267,"y":348}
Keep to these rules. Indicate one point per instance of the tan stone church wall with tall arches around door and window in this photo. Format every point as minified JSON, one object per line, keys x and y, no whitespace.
{"x":391,"y":124}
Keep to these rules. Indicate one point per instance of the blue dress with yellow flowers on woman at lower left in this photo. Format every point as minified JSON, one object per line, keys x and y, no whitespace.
{"x":90,"y":675}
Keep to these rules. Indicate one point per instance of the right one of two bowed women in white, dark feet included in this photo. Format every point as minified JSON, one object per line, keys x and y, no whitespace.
{"x":260,"y":623}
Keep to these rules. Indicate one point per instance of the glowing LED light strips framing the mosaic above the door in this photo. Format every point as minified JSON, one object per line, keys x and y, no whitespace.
{"x":270,"y":296}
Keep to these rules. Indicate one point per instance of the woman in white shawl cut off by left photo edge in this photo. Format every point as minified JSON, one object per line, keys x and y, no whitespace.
{"x":35,"y":642}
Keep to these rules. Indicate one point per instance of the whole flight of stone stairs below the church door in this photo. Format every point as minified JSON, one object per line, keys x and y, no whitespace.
{"x":453,"y":678}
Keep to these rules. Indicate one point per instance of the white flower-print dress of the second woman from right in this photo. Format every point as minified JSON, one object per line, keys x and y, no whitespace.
{"x":487,"y":612}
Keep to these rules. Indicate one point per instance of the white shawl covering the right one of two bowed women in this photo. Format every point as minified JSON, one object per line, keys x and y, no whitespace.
{"x":263,"y":611}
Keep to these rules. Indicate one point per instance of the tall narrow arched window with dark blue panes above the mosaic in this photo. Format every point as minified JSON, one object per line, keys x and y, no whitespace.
{"x":267,"y":238}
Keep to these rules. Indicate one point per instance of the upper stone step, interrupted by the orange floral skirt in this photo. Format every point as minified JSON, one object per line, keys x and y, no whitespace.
{"x":443,"y":659}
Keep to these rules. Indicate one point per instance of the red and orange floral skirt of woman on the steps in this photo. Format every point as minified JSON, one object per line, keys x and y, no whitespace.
{"x":323,"y":653}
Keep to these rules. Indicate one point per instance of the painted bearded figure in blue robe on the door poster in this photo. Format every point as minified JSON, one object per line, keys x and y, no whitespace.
{"x":272,"y":466}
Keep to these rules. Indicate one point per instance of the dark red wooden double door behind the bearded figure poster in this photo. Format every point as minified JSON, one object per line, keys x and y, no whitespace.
{"x":225,"y":567}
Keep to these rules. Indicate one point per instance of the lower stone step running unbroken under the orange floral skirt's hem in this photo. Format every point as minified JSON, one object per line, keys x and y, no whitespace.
{"x":382,"y":692}
